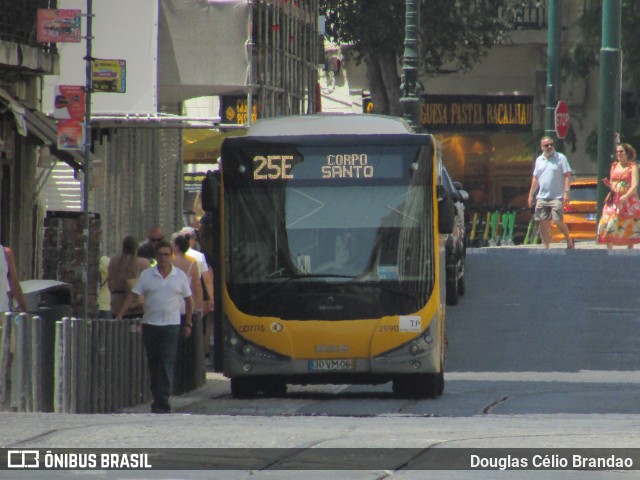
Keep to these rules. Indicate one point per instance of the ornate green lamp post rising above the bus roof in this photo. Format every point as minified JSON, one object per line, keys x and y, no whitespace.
{"x":411,"y":88}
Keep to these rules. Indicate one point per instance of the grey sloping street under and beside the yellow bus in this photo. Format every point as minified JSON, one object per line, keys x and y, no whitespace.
{"x":543,"y":353}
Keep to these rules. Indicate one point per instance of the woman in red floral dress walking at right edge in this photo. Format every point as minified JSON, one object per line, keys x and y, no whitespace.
{"x":620,"y":220}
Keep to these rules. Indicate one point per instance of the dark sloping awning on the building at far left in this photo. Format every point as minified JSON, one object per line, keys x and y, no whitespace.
{"x":42,"y":128}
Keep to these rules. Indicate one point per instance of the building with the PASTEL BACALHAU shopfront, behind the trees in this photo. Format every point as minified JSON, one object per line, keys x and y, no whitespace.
{"x":489,"y":120}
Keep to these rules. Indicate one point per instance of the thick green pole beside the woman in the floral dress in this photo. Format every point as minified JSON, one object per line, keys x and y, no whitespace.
{"x":609,"y":92}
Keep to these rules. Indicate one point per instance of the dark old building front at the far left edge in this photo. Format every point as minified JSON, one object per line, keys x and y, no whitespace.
{"x":26,"y":137}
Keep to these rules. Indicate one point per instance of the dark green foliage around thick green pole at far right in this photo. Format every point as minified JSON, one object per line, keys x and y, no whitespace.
{"x":582,"y":58}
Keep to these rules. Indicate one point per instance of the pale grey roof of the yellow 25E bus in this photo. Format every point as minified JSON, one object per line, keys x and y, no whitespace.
{"x":330,"y":124}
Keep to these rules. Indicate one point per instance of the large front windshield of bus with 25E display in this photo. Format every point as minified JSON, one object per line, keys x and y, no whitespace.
{"x":317,"y":233}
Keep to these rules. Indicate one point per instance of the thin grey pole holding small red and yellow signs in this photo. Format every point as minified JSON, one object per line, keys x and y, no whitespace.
{"x":86,"y":171}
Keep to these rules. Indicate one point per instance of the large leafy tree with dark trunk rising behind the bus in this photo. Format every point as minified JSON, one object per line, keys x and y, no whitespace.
{"x":455,"y":34}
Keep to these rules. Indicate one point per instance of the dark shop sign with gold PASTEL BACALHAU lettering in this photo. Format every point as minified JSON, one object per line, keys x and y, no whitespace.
{"x":477,"y":113}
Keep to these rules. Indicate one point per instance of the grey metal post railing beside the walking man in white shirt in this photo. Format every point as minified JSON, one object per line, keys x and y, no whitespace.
{"x":83,"y":366}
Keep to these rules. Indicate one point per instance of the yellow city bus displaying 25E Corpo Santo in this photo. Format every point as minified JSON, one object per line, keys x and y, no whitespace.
{"x":331,"y":255}
